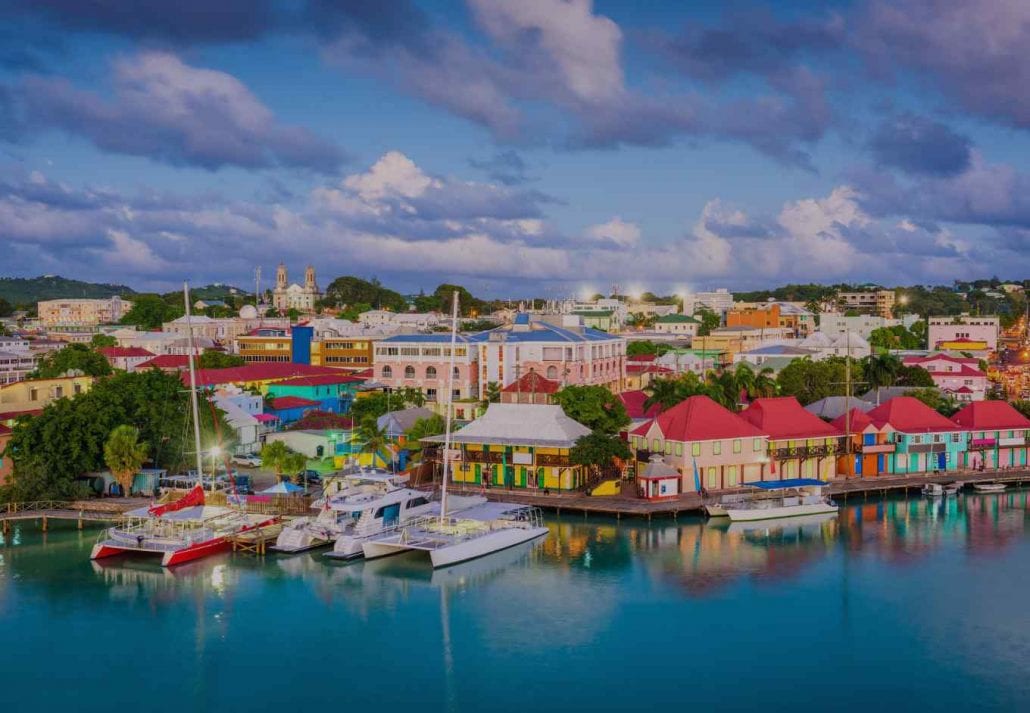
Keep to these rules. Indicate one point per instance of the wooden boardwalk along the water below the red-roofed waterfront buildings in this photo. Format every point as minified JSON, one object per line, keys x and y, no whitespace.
{"x":632,"y":506}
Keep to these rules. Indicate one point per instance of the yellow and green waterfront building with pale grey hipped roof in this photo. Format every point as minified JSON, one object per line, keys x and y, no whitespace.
{"x":520,"y":447}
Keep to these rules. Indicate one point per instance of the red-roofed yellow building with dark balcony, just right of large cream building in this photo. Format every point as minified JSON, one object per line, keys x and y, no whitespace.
{"x":802,"y":445}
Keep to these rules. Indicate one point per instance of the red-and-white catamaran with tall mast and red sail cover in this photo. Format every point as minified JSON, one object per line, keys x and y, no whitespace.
{"x":187,"y":529}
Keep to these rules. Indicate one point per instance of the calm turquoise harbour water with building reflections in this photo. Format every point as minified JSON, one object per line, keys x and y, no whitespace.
{"x":897,"y":604}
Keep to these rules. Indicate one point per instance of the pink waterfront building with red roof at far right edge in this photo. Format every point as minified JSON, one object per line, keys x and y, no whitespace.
{"x":1000,"y":436}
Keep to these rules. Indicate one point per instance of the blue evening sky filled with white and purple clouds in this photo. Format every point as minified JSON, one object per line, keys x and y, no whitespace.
{"x":520,"y":148}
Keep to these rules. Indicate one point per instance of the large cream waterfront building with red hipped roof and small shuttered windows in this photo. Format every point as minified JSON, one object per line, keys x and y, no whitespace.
{"x":710,"y":446}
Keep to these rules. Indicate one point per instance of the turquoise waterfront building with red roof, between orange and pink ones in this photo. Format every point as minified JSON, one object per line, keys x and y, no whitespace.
{"x":925,"y":440}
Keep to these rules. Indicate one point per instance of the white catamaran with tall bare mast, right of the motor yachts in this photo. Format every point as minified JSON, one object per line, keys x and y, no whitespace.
{"x":477,"y":532}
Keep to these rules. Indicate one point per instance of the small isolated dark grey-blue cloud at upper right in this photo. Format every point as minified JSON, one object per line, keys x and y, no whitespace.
{"x":919,"y":146}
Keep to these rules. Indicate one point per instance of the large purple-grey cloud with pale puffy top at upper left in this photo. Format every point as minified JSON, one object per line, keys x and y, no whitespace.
{"x":176,"y":114}
